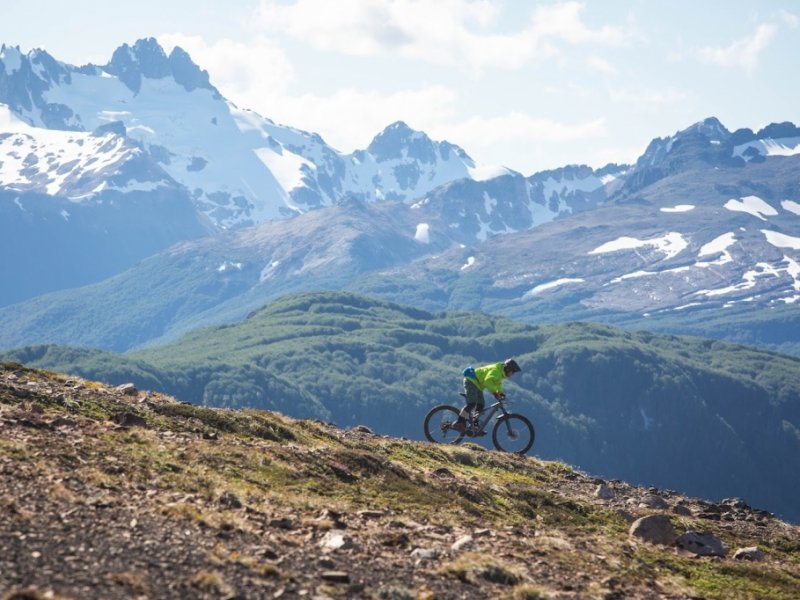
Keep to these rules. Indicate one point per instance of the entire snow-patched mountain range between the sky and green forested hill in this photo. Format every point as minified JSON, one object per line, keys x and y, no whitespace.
{"x":103,"y":166}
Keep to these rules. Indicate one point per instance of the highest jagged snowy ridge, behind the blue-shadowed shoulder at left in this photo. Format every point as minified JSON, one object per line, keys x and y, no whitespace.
{"x":240,"y":168}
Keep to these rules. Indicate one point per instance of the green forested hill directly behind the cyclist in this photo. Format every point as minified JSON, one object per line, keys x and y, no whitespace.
{"x":703,"y":417}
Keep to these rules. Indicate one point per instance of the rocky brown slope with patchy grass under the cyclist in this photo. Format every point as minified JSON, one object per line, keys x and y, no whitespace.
{"x":114,"y":493}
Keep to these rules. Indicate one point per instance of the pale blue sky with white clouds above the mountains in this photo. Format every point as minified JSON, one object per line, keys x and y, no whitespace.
{"x":524,"y":84}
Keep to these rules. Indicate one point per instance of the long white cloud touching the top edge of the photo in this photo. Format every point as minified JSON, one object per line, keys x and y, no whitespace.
{"x":461,"y":33}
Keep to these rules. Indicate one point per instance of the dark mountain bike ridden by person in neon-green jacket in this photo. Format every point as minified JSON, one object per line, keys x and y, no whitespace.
{"x":512,"y":432}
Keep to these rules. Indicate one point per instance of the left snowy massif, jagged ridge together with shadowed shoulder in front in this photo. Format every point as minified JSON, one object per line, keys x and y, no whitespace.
{"x":148,"y":136}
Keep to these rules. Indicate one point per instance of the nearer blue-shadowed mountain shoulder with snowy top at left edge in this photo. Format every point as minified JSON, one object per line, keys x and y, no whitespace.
{"x":77,"y":207}
